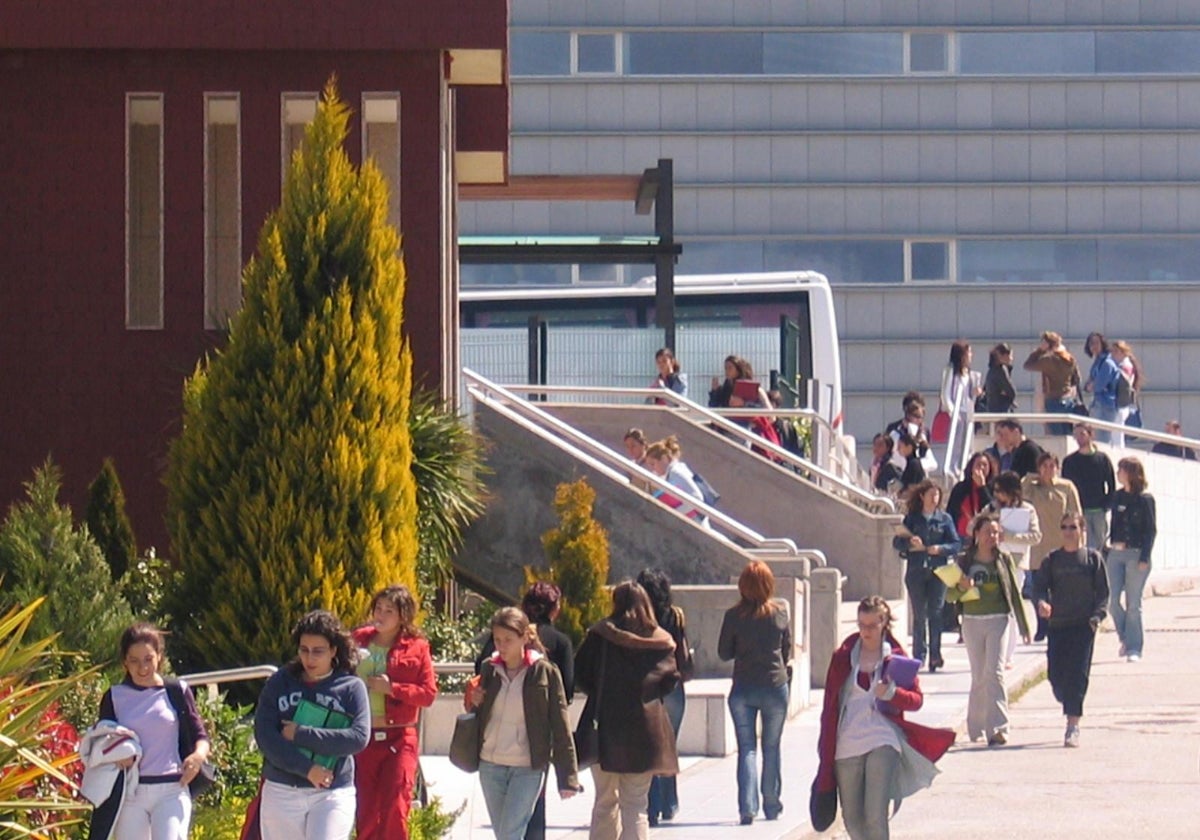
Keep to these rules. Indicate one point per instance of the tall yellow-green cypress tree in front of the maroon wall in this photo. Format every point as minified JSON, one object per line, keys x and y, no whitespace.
{"x":291,"y":485}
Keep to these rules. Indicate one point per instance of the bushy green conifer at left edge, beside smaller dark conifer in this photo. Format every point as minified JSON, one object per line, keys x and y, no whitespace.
{"x":43,"y":554}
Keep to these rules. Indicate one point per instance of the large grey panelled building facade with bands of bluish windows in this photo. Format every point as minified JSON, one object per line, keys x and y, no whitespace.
{"x":958,"y":169}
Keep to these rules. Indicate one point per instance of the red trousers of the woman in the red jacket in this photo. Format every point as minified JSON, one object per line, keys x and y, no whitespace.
{"x":385,"y":775}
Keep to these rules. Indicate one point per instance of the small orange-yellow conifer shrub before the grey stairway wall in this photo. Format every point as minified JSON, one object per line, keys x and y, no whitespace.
{"x":578,"y":561}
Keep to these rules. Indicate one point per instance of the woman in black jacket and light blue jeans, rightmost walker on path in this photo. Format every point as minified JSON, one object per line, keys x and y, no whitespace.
{"x":1131,"y":542}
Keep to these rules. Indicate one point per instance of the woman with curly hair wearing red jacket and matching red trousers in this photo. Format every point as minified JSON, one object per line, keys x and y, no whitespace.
{"x":399,"y":671}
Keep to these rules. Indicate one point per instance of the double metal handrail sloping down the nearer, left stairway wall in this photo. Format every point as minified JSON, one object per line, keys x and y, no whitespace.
{"x":602,"y":458}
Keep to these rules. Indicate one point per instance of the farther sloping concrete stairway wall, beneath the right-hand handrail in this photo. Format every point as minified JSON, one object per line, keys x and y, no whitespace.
{"x":770,"y":499}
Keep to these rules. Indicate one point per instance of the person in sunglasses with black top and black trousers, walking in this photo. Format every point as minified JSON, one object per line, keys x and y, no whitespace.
{"x":1071,"y":590}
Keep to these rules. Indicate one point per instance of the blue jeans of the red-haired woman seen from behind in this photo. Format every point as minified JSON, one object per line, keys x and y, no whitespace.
{"x":747,"y":703}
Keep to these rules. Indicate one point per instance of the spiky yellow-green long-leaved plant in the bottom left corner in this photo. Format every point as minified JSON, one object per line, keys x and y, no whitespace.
{"x":27,"y":725}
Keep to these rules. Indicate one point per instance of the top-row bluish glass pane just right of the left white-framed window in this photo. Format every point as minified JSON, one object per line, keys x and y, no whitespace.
{"x":694,"y":53}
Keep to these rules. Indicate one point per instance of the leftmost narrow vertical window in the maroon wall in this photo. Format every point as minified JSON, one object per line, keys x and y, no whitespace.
{"x":143,"y":212}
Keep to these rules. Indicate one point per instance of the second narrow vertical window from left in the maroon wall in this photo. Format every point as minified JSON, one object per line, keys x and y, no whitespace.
{"x":223,"y":209}
